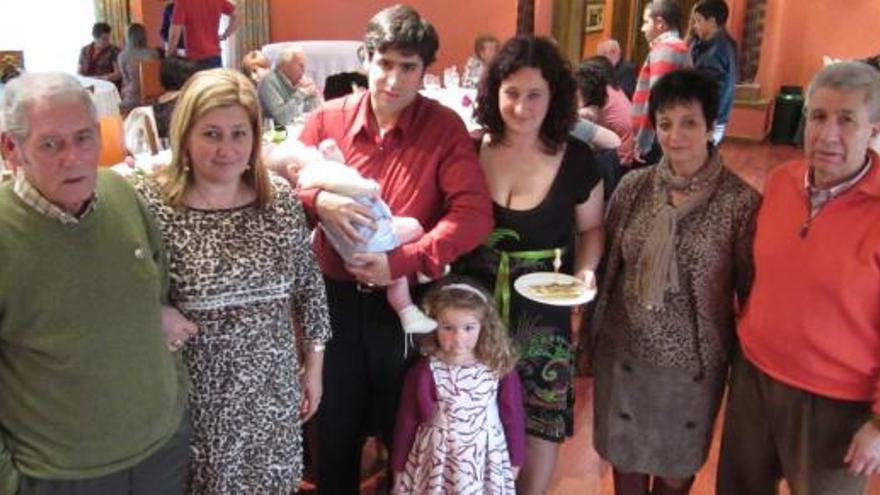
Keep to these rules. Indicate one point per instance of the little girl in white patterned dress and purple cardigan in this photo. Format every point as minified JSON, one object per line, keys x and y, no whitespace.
{"x":460,"y":426}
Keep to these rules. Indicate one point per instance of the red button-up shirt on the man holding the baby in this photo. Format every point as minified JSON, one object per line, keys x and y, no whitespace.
{"x":427,"y":169}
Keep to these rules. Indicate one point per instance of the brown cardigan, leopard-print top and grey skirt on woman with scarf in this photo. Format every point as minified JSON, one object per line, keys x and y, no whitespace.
{"x":659,"y":374}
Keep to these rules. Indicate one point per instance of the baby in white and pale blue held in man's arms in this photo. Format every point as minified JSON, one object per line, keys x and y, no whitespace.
{"x":325,"y":168}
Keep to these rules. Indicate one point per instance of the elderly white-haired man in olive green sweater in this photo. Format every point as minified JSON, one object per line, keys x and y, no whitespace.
{"x":92,"y":398}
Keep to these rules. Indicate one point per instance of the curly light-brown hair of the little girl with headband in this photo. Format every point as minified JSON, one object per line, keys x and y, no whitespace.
{"x":494,"y":347}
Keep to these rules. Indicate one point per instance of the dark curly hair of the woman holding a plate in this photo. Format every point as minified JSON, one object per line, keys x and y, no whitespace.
{"x":539,"y":53}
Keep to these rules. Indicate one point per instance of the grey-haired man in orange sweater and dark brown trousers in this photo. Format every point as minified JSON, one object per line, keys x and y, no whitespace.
{"x":804,"y":401}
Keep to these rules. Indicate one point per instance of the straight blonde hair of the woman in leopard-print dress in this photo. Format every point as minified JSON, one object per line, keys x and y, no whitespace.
{"x":205,"y":91}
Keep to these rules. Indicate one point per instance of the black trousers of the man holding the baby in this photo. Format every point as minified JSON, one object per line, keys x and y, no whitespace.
{"x":364,"y":367}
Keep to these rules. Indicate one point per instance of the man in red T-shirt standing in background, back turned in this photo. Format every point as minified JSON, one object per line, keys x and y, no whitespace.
{"x":199,"y":21}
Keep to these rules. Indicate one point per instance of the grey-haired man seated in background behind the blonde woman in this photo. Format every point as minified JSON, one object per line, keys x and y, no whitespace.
{"x":287,"y":93}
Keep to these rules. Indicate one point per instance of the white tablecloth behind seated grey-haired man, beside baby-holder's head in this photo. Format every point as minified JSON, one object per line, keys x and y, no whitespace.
{"x":325,"y":58}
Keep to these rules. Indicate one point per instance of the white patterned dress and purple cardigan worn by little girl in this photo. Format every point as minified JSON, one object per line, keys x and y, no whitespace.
{"x":459,"y":430}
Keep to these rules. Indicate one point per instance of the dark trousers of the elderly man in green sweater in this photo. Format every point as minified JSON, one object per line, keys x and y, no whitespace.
{"x":163,"y":473}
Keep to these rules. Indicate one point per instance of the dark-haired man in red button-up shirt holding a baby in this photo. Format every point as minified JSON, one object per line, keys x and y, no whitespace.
{"x":424,"y":161}
